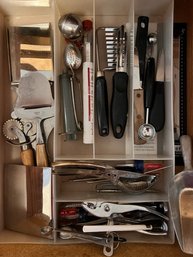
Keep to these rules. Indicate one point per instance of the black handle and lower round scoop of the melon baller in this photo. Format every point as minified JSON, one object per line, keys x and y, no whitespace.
{"x":147,"y":131}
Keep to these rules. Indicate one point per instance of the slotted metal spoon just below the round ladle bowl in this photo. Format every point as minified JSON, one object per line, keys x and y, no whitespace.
{"x":73,"y":60}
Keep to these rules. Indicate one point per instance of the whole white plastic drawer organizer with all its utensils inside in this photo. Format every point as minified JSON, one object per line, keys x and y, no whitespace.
{"x":89,"y":103}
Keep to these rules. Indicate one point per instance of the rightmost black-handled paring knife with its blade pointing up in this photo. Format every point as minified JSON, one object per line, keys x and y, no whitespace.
{"x":157,"y":112}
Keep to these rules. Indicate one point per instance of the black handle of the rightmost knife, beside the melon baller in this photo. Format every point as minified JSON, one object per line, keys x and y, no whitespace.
{"x":157,"y":112}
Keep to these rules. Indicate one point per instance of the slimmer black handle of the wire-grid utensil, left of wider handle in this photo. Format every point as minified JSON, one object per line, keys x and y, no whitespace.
{"x":101,"y":101}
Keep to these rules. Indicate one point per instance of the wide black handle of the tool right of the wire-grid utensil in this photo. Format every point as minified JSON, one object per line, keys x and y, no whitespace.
{"x":119,"y":104}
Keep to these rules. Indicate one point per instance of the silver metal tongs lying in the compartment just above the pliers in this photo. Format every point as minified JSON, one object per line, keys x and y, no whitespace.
{"x":130,"y":182}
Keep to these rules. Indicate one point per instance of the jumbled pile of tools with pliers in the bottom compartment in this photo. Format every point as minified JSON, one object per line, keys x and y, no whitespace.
{"x":101,"y":222}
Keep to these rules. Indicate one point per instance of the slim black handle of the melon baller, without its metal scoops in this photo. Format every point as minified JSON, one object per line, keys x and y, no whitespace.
{"x":149,"y":82}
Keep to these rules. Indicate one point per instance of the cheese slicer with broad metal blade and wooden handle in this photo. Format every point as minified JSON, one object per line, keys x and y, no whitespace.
{"x":35,"y":102}
